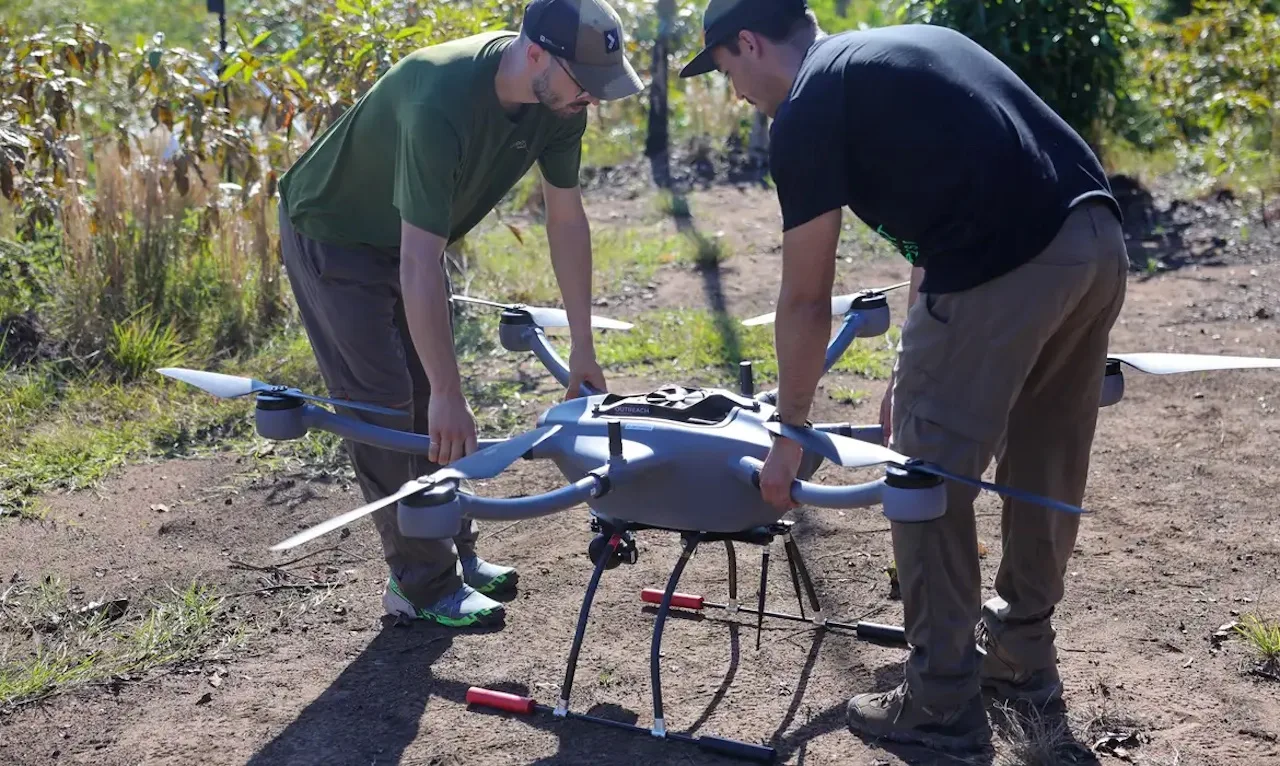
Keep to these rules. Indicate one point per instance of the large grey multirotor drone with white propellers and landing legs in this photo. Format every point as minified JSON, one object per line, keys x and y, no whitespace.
{"x":679,"y":459}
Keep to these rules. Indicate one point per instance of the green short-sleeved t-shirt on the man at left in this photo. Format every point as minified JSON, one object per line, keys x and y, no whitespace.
{"x":431,"y":144}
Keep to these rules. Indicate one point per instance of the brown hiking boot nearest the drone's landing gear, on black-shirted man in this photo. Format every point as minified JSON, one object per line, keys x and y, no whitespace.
{"x":895,"y":717}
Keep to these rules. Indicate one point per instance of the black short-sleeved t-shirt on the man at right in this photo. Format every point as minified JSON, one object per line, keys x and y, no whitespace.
{"x":936,"y":145}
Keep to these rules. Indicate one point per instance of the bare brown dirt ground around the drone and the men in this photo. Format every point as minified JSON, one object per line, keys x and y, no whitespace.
{"x":1186,"y":537}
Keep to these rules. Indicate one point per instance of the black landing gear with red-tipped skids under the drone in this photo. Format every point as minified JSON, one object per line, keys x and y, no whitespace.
{"x":618,"y":548}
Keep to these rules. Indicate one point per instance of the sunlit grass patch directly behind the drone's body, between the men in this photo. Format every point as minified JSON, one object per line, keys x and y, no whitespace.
{"x":706,"y":349}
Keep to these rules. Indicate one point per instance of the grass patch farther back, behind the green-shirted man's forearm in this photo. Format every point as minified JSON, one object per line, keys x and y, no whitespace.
{"x":513,"y":263}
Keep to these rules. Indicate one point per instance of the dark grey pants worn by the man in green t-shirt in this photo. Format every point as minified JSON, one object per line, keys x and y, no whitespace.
{"x":354,"y":313}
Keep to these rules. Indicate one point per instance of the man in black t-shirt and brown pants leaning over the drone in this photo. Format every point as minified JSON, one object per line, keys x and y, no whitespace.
{"x":1018,"y":276}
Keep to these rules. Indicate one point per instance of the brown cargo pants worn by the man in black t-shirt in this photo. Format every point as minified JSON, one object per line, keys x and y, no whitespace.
{"x":1016,"y":366}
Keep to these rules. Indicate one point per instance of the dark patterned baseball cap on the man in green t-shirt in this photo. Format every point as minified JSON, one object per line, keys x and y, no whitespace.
{"x":588,"y":37}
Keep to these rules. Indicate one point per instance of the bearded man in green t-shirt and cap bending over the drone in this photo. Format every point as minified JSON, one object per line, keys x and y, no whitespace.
{"x":368,"y":212}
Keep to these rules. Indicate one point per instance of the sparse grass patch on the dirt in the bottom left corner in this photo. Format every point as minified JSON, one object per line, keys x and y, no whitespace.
{"x":51,"y":646}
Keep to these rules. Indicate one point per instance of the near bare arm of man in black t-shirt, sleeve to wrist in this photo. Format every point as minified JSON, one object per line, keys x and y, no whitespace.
{"x":803,"y":318}
